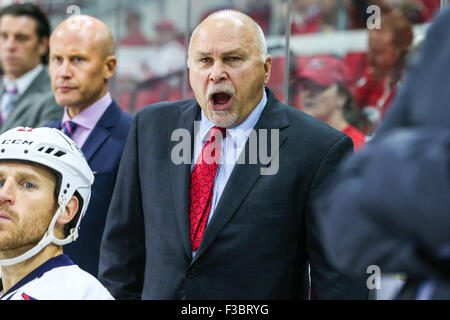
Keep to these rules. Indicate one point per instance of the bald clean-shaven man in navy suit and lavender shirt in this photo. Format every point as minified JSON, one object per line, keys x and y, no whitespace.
{"x":81,"y":63}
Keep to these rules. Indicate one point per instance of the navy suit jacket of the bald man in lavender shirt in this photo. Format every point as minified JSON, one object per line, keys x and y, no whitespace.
{"x":102,"y":150}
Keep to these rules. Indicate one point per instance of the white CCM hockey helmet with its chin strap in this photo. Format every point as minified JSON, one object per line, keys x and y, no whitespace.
{"x":54,"y":150}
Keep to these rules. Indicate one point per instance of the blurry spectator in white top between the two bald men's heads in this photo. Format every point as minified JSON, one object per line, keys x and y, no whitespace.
{"x":169,"y":53}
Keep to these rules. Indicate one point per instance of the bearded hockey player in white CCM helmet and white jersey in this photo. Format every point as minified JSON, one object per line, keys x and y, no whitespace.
{"x":45,"y":186}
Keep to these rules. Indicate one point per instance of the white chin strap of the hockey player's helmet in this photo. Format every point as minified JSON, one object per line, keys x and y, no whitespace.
{"x":48,"y":238}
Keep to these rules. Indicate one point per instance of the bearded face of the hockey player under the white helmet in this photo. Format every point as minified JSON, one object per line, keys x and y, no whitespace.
{"x":27,"y":206}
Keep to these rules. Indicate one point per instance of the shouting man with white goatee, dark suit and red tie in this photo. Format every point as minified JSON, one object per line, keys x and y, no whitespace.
{"x":260,"y":230}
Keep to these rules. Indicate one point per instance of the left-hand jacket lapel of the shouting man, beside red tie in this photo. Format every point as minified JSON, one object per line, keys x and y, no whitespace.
{"x":180,"y":173}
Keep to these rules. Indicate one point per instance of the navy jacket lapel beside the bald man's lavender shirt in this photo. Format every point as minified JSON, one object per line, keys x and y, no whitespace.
{"x":100,"y":131}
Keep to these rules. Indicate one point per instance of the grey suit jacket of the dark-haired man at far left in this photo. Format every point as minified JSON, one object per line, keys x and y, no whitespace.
{"x":35,"y":107}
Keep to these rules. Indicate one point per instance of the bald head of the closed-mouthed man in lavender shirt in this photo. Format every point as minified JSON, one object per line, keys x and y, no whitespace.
{"x":81,"y":62}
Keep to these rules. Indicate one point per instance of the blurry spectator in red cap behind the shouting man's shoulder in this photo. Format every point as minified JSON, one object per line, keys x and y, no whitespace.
{"x":325,"y":95}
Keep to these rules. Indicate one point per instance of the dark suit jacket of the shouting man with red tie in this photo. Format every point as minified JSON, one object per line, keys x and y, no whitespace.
{"x":263,"y":232}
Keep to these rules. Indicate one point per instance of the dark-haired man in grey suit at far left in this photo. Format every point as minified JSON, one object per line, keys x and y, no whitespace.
{"x":26,"y":93}
